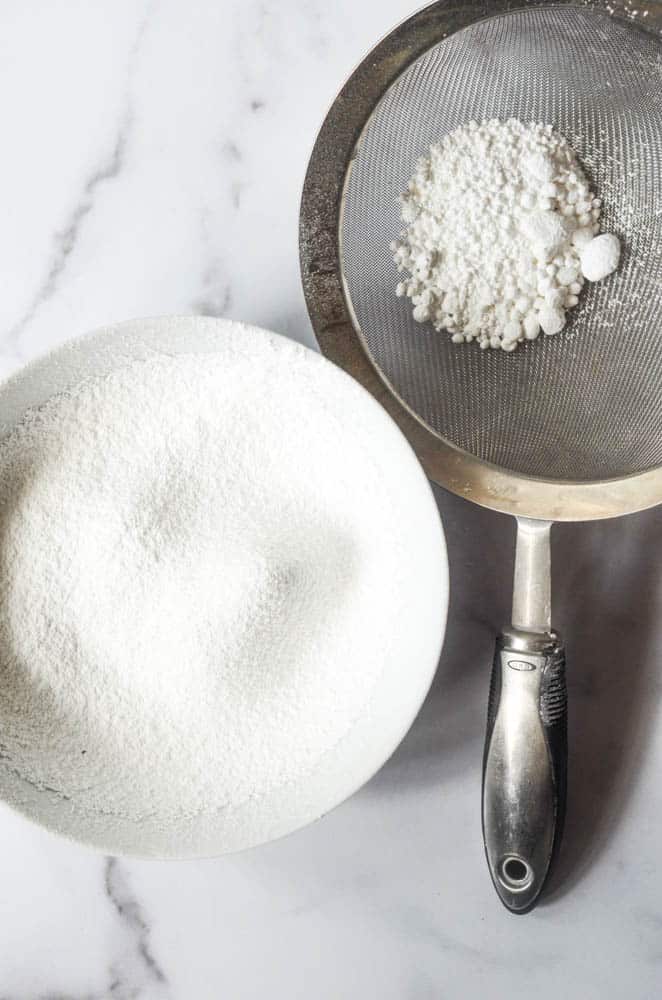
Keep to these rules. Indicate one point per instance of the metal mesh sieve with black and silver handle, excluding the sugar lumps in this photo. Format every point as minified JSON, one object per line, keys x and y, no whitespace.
{"x":567,"y":428}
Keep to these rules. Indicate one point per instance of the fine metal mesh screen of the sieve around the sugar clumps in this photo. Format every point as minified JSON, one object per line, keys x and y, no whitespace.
{"x":586,"y":404}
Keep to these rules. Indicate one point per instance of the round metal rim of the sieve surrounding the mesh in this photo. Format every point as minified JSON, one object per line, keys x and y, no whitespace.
{"x":336,"y":328}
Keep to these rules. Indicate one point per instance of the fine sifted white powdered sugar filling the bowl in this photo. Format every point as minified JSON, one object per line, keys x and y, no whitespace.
{"x":194,"y":579}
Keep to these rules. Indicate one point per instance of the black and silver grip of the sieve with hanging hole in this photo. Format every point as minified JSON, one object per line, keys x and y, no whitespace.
{"x":524,"y":765}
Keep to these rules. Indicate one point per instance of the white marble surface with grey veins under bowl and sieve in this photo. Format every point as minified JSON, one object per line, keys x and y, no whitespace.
{"x":153,"y":155}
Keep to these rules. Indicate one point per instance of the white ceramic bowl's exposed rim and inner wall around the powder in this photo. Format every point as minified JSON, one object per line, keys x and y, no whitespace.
{"x":416,"y":628}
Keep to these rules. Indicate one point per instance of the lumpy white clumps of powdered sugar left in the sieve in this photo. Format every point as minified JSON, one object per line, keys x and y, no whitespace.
{"x":499,"y":218}
